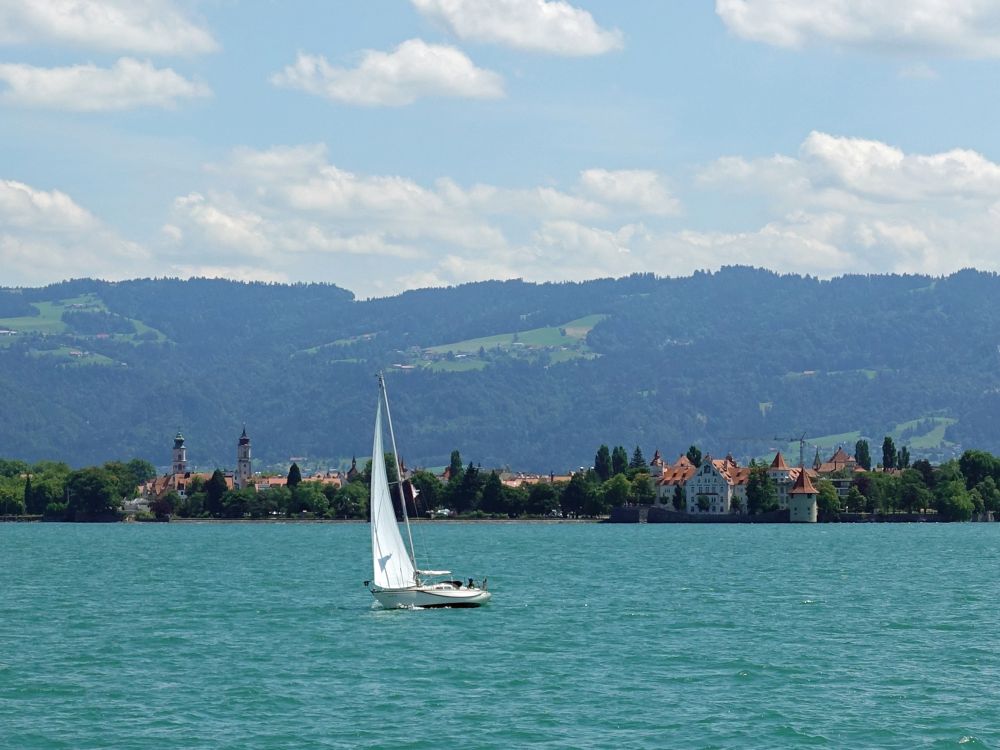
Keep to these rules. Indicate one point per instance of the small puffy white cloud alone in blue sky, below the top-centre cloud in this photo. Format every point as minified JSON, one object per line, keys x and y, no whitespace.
{"x":412,"y":71}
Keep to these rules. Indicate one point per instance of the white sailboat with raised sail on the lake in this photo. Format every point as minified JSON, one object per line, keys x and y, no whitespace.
{"x":397,"y":581}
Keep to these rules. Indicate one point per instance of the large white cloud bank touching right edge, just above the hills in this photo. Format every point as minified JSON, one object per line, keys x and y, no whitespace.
{"x":846,"y":205}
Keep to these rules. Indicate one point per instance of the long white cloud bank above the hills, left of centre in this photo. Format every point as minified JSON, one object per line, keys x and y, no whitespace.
{"x":290,"y":207}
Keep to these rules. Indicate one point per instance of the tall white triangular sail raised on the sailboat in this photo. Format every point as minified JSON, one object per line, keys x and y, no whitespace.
{"x":392,"y":564}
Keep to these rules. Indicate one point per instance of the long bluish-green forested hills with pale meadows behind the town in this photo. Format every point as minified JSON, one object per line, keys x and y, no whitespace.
{"x":533,"y":376}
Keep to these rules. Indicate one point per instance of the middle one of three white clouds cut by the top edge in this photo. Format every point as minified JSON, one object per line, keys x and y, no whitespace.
{"x":551,"y":26}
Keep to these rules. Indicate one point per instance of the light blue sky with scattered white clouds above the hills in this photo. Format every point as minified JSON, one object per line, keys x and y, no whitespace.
{"x":396,"y":144}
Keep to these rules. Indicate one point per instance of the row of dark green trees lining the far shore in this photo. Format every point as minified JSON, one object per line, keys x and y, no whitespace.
{"x":960,"y":489}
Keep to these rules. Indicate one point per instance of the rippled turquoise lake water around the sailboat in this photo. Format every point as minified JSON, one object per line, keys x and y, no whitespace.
{"x":262,"y":636}
